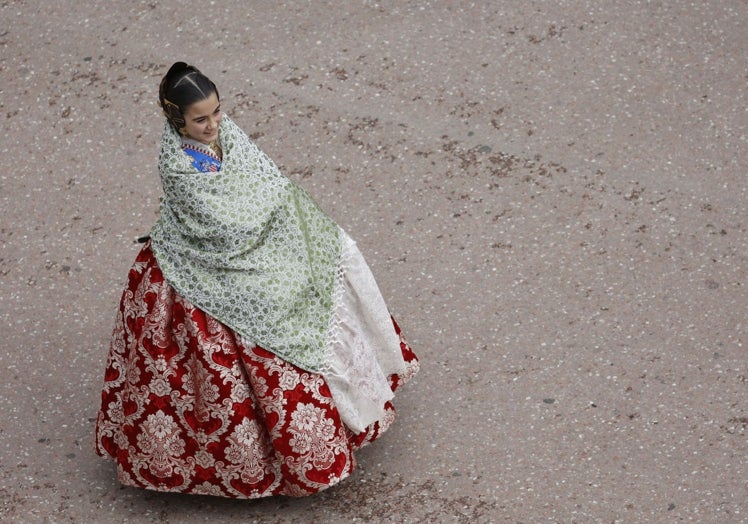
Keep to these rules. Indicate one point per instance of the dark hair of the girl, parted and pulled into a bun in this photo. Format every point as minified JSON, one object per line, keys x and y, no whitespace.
{"x":182,"y":86}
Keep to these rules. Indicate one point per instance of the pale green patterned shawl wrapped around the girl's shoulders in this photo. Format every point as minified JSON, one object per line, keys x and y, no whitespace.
{"x":249,"y":247}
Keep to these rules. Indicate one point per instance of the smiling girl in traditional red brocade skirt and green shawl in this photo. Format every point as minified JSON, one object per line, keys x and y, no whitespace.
{"x":253,"y":352}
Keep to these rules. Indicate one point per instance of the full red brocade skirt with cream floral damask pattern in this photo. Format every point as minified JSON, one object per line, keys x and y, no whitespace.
{"x":186,"y":407}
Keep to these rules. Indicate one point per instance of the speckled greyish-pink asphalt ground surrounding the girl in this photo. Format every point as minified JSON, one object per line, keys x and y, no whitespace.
{"x":551,"y":194}
